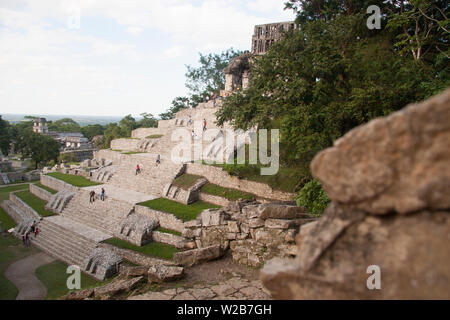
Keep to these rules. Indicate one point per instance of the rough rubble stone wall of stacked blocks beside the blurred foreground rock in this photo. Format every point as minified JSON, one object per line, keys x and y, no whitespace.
{"x":253,"y":231}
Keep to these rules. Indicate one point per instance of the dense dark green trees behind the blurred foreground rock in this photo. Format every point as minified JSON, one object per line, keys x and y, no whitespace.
{"x":330,"y":76}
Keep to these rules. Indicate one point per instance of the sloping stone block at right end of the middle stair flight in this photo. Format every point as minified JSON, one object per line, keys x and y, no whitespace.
{"x":137,"y":229}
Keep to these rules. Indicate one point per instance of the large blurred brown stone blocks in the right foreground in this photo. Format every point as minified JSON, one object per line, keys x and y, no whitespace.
{"x":389,"y":181}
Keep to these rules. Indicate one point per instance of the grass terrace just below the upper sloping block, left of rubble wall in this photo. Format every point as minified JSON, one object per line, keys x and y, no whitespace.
{"x":182,"y":211}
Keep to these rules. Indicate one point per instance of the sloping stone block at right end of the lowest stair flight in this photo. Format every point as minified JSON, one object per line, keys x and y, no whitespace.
{"x":102,"y":263}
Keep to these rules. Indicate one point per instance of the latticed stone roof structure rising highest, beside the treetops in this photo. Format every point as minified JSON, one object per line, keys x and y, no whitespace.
{"x":267,"y":34}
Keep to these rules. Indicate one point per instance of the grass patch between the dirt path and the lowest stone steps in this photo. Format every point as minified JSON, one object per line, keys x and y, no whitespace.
{"x":54,"y":277}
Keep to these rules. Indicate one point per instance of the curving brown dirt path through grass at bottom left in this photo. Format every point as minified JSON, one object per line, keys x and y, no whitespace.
{"x":22,"y":274}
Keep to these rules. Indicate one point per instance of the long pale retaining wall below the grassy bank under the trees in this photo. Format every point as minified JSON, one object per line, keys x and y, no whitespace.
{"x":222,"y":178}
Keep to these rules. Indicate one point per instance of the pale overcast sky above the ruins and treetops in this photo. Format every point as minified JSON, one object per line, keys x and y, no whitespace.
{"x":114,"y":57}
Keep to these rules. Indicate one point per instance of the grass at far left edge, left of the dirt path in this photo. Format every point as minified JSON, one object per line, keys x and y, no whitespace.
{"x":11,"y":250}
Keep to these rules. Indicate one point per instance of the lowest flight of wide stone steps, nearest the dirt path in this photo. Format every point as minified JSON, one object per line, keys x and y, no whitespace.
{"x":63,"y":244}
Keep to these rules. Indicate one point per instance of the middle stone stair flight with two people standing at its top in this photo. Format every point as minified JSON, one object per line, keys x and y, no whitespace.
{"x":101,"y":215}
